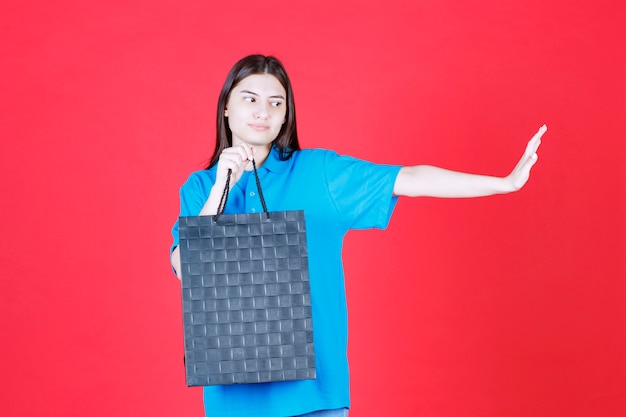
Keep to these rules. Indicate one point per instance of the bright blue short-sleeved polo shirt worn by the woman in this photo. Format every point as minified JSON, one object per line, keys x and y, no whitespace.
{"x":337,"y":193}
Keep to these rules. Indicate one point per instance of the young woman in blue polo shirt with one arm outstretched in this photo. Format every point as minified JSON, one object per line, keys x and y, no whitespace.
{"x":256,"y":120}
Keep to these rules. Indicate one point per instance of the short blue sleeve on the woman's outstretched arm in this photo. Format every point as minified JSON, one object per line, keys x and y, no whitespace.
{"x":361,"y":191}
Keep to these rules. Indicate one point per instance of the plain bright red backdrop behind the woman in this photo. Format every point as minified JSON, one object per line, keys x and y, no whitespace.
{"x":504,"y":306}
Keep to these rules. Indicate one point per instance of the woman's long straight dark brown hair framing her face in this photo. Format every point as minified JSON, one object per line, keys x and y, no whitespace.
{"x":287,"y":139}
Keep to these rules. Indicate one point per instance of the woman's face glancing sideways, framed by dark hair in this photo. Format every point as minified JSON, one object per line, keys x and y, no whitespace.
{"x":256,"y":110}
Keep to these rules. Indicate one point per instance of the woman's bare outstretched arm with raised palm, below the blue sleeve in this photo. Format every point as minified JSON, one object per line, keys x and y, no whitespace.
{"x":430,"y":181}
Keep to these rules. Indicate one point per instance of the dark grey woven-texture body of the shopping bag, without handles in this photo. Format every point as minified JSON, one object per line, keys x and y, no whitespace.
{"x":246,"y":299}
